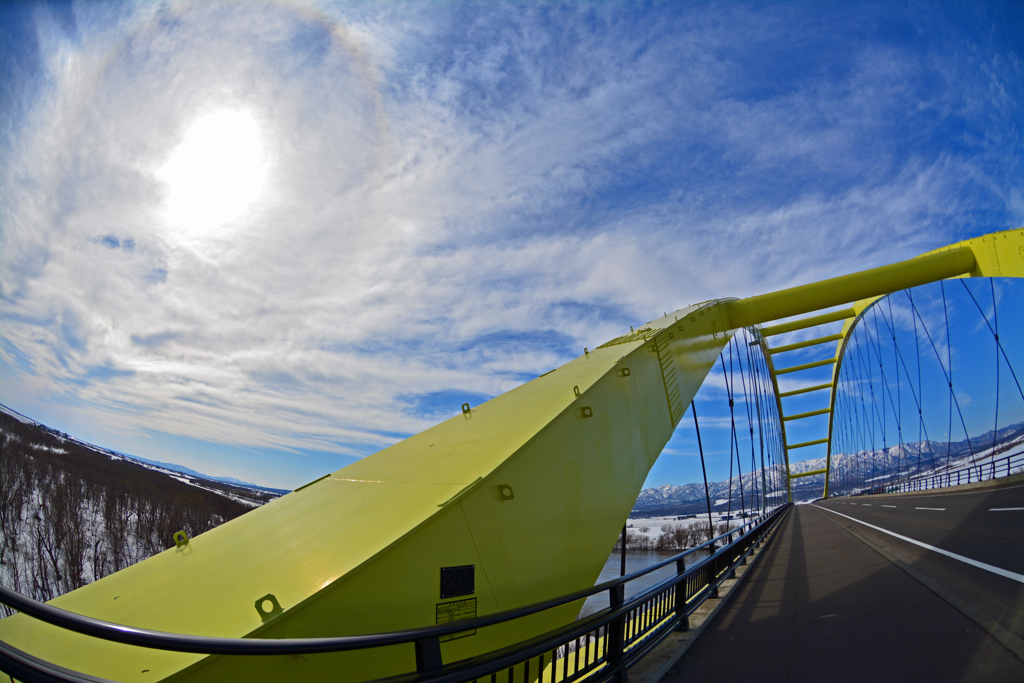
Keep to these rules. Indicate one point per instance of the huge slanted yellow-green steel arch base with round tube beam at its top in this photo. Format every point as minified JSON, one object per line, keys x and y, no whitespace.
{"x":530,"y":490}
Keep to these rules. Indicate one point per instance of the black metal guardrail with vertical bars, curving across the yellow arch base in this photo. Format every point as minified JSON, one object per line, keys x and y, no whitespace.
{"x":601,"y":647}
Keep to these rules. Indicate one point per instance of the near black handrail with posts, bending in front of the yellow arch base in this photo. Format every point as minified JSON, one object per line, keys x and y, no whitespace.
{"x":426,"y":641}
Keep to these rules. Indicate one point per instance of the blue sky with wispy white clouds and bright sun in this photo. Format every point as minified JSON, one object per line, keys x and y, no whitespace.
{"x":266,"y":240}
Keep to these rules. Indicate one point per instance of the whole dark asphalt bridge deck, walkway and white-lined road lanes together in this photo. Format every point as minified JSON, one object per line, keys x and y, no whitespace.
{"x":823,"y":605}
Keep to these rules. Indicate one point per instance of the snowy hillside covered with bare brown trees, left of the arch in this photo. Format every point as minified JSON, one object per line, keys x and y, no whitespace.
{"x":72,"y":513}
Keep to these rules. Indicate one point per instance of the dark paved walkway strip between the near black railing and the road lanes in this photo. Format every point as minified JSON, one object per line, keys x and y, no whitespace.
{"x":822,"y":605}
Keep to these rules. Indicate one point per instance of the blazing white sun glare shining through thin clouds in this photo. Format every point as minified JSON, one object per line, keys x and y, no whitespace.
{"x":217,"y":173}
